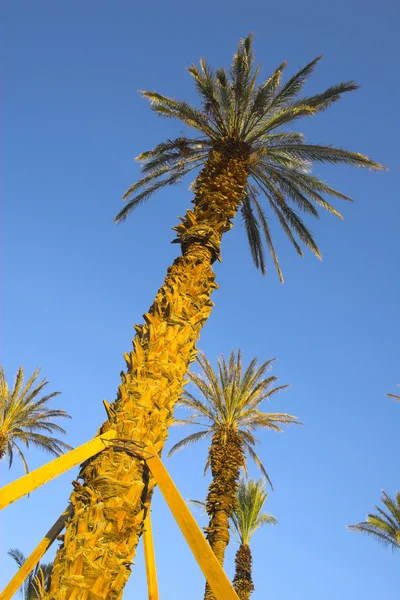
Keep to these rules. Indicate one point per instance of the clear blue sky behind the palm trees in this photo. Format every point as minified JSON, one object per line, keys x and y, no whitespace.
{"x":75,"y":283}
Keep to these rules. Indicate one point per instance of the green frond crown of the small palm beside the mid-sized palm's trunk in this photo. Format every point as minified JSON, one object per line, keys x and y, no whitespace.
{"x":248,"y":515}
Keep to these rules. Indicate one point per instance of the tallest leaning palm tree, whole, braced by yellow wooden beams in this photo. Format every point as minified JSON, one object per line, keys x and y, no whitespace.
{"x":243,"y":152}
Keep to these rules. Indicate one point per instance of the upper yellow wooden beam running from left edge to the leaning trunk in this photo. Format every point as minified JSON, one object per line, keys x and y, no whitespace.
{"x":19,"y":488}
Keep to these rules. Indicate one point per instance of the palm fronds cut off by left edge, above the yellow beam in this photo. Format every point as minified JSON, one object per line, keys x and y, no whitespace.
{"x":25,"y":418}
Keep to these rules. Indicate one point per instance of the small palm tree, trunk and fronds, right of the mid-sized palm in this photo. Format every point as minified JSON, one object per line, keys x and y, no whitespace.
{"x":246,"y":519}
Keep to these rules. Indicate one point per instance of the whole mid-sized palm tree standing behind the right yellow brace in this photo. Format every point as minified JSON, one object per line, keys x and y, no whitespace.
{"x":229,"y":412}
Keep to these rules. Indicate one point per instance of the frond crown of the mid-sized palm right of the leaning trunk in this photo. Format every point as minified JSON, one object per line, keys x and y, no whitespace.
{"x":230,"y":401}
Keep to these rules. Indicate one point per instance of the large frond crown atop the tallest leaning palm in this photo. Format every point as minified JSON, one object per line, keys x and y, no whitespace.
{"x":237,"y":113}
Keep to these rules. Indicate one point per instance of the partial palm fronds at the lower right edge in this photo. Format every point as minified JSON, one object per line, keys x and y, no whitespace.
{"x":385,"y":524}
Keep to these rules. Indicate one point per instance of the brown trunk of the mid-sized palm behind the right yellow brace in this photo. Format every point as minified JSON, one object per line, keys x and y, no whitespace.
{"x":226,"y":458}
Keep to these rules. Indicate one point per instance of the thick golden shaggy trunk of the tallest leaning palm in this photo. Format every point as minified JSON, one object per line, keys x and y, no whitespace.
{"x":110,"y":505}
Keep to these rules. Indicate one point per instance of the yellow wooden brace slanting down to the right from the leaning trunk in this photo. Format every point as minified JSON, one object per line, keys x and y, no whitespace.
{"x":208,"y":563}
